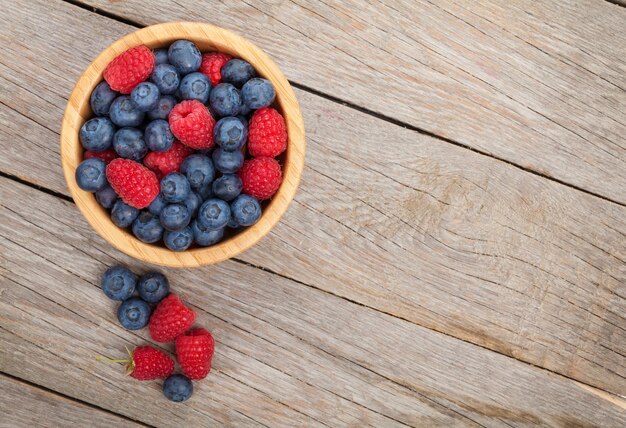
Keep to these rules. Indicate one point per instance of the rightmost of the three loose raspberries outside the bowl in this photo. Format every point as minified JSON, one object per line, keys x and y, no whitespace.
{"x":194,"y":351}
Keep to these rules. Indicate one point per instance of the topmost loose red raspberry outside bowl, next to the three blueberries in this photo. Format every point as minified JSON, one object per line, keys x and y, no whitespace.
{"x":170,"y":319}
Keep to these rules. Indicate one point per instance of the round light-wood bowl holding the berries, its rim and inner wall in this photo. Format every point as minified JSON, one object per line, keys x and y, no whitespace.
{"x":207,"y":38}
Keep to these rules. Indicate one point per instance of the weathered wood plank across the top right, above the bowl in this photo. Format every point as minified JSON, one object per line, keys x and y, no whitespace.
{"x":540,"y":84}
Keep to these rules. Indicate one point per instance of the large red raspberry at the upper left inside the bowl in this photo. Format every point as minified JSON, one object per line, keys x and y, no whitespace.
{"x":129,"y":69}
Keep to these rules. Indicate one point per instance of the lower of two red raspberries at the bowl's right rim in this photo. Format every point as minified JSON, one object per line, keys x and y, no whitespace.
{"x":261,"y":177}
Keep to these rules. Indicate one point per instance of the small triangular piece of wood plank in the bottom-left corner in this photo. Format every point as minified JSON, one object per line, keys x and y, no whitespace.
{"x":23,"y":405}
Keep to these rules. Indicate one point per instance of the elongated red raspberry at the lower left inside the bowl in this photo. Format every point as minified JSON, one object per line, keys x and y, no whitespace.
{"x":136,"y":184}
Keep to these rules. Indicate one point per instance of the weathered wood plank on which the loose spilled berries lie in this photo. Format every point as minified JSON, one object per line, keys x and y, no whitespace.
{"x":286,"y":354}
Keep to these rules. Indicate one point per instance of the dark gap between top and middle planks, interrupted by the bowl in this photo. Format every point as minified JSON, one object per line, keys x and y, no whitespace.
{"x":380,"y":116}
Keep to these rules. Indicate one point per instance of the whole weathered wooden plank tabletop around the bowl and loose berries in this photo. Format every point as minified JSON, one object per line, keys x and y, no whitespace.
{"x":455,"y":255}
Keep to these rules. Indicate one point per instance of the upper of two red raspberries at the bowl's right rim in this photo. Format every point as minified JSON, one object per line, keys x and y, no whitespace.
{"x":267,"y":135}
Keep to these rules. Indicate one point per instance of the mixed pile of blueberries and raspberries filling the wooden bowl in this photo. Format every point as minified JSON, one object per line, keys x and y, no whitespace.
{"x":183,"y":149}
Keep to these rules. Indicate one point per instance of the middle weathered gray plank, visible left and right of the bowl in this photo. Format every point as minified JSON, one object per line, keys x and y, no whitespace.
{"x":451,"y":240}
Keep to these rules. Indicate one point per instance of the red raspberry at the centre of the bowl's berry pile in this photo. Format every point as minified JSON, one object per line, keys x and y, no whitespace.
{"x":192,"y":124}
